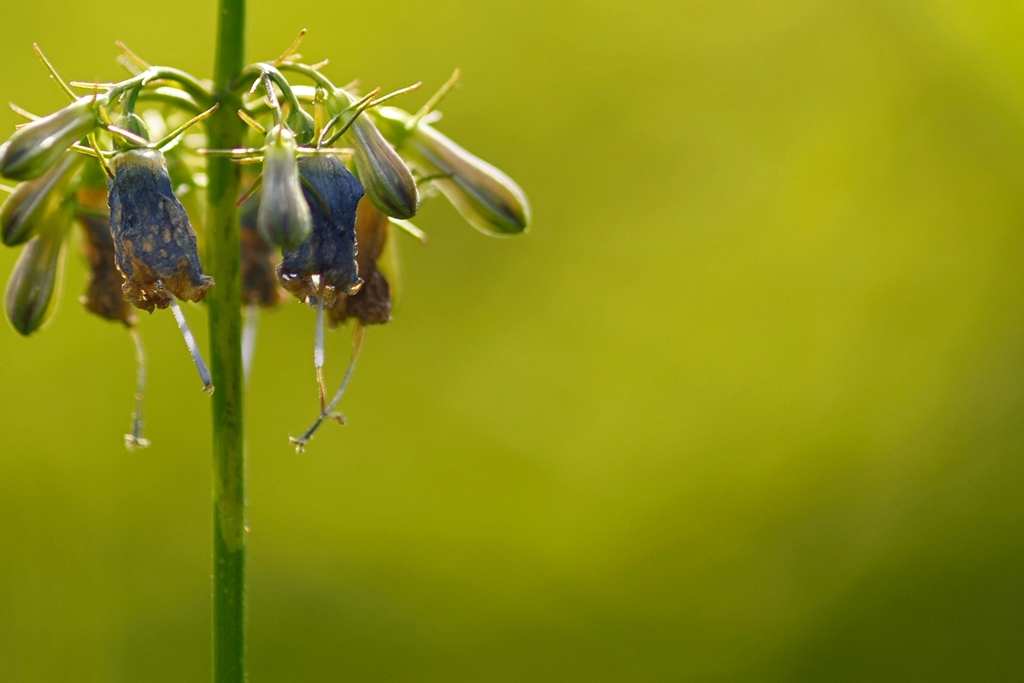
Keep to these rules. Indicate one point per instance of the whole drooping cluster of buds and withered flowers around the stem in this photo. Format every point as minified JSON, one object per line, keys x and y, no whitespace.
{"x":338,"y":175}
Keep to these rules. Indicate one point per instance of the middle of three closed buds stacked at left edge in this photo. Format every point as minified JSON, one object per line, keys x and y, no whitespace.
{"x":30,"y":204}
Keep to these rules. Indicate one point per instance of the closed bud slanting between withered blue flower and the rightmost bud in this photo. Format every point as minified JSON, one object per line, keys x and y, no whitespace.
{"x":389,"y":182}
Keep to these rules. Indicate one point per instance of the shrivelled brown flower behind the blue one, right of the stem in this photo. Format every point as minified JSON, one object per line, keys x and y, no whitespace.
{"x":372,"y":305}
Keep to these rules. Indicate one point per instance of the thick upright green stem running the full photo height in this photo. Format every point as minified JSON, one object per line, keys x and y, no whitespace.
{"x":226,"y":133}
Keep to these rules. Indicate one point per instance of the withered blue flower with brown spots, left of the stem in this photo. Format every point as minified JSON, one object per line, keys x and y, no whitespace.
{"x":154,"y":243}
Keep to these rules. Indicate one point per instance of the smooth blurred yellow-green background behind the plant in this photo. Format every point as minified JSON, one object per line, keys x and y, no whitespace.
{"x":746,"y":405}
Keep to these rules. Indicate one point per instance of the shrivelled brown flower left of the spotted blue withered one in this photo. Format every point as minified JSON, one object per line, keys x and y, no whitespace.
{"x":104,"y":295}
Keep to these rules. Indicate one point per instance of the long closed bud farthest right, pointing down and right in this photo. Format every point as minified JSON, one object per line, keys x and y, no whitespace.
{"x":488,"y":199}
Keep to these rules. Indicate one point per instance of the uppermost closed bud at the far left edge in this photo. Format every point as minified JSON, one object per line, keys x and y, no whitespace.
{"x":37,"y":146}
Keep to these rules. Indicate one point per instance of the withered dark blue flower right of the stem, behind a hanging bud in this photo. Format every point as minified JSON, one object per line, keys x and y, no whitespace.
{"x":329,"y":254}
